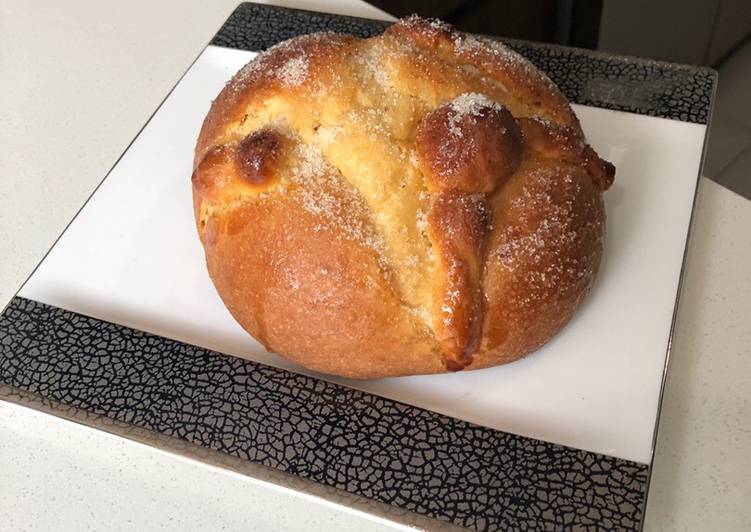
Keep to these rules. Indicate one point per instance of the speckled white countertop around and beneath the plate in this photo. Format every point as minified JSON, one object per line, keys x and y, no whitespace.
{"x":75,"y":94}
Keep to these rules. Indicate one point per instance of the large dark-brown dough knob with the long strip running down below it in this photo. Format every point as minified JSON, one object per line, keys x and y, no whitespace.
{"x":466,"y":149}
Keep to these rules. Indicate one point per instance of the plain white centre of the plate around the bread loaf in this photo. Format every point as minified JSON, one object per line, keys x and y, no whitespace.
{"x":132,"y":257}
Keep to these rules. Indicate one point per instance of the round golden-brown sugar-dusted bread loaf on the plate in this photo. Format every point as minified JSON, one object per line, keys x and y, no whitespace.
{"x":418,"y":202}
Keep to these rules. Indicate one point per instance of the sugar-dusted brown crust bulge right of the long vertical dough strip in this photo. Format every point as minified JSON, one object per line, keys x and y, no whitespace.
{"x":545,"y":247}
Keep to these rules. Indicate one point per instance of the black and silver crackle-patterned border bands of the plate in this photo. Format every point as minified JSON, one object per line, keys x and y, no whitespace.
{"x":382,"y":450}
